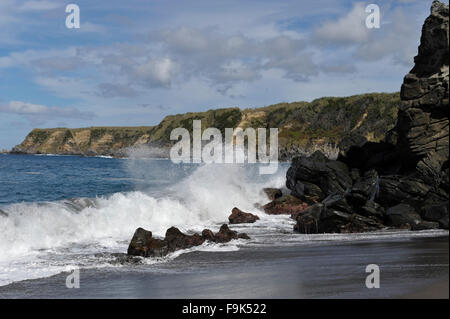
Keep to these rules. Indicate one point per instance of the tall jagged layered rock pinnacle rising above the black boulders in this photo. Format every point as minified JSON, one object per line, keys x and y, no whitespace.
{"x":422,"y":125}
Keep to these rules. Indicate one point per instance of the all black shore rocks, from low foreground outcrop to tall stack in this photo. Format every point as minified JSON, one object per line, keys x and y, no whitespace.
{"x":401,"y":182}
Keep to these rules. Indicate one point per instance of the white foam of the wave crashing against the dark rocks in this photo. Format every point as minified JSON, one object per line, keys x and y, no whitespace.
{"x":34,"y":233}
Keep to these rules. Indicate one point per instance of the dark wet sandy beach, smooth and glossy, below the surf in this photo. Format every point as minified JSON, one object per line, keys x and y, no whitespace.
{"x":410,"y":268}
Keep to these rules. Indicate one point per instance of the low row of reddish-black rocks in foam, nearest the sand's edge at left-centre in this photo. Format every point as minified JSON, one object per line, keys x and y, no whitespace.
{"x":145,"y":245}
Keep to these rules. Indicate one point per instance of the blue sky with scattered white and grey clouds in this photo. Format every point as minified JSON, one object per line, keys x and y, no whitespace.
{"x":133,"y":62}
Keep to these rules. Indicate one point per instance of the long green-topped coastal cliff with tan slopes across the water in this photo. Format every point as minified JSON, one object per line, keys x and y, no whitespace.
{"x":303,"y":127}
